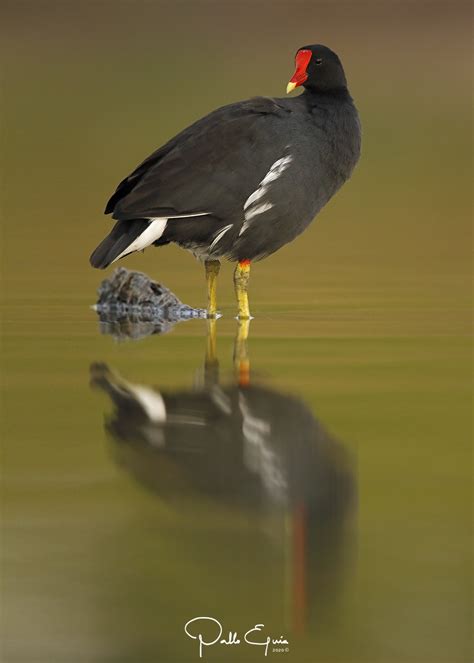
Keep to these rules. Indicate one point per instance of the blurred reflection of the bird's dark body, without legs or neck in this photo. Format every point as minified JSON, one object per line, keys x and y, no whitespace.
{"x":246,"y":443}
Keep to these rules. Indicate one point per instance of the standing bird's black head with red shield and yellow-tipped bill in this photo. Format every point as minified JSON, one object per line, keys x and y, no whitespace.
{"x":317,"y":68}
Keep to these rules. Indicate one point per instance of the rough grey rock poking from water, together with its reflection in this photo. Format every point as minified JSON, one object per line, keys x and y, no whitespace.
{"x":131,"y":305}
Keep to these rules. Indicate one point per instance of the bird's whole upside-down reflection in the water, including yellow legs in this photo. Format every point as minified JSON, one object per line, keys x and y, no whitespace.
{"x":247,"y":446}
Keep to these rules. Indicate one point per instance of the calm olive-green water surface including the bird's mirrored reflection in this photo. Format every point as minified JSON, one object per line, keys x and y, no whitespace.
{"x":326,"y":499}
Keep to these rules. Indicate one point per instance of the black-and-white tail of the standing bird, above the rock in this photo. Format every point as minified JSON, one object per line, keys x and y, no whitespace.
{"x":126,"y":237}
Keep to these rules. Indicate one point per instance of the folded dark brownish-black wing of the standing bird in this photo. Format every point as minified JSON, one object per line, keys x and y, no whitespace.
{"x":210,"y":167}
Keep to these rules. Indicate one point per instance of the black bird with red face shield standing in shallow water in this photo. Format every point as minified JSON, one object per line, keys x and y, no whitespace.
{"x":244,"y":180}
